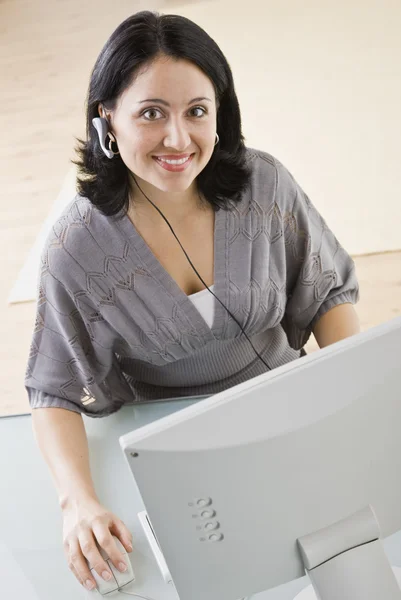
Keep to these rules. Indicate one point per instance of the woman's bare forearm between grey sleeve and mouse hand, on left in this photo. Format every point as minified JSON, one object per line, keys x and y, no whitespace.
{"x":62,"y":440}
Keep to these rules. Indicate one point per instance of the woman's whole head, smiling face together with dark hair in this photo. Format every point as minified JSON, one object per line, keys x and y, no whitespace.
{"x":166,"y":92}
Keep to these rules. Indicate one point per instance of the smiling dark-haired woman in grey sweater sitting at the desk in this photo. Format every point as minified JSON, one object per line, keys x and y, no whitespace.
{"x":187,"y":264}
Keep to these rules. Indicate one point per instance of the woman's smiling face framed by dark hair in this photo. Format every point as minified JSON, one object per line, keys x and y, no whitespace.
{"x":165,"y":124}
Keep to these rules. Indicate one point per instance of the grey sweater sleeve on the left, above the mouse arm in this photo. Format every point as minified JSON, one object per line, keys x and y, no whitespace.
{"x":67,"y":367}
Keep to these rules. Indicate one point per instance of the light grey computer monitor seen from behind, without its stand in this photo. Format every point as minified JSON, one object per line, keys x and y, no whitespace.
{"x":231,"y":483}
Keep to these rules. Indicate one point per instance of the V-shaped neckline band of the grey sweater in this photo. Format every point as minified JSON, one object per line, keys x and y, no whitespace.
{"x":220,"y":274}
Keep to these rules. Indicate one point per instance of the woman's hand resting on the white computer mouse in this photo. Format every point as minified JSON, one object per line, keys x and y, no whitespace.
{"x":86,"y":525}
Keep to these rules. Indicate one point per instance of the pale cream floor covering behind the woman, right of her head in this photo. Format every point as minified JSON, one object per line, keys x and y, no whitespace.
{"x":319,"y":84}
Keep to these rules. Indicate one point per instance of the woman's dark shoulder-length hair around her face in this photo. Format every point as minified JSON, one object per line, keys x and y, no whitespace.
{"x":135,"y":43}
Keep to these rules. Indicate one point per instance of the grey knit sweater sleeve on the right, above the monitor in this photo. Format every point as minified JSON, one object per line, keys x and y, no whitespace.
{"x":320,"y":274}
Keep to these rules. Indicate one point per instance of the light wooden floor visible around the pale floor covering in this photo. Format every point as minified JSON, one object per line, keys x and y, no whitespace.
{"x":47,"y":49}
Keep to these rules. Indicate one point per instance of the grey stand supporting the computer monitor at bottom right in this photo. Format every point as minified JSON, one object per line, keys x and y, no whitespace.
{"x":347,"y":560}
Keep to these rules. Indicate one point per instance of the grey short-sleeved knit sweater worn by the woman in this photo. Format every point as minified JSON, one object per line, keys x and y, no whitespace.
{"x":114,"y":328}
